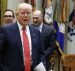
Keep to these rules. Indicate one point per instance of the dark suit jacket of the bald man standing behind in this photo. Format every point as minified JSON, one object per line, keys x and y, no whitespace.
{"x":48,"y":37}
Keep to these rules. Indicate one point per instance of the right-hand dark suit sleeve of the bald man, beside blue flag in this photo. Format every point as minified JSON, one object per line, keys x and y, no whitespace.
{"x":51,"y":48}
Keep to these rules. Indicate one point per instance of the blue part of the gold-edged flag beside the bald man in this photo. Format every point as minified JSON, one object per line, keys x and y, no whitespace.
{"x":59,"y":37}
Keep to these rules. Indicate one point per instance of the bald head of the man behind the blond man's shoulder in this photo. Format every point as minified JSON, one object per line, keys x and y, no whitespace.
{"x":37,"y":17}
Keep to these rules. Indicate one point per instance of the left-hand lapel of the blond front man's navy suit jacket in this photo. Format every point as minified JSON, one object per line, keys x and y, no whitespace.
{"x":17,"y":38}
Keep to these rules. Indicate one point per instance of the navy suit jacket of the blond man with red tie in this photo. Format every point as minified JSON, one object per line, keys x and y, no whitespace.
{"x":11,"y":53}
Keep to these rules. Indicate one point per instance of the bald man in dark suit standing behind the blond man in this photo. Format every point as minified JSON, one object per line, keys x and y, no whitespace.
{"x":48,"y":36}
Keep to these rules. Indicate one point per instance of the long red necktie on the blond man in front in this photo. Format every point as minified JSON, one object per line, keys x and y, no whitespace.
{"x":27,"y":62}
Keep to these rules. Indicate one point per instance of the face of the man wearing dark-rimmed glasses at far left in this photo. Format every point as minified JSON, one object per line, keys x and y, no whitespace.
{"x":8,"y":17}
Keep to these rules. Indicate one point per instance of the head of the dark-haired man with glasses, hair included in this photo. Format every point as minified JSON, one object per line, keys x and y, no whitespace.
{"x":8,"y":16}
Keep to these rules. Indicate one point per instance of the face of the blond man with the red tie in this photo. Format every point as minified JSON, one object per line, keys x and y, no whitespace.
{"x":23,"y":16}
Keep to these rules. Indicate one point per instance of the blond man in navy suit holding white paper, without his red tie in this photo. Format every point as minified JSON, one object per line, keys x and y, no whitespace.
{"x":11,"y":43}
